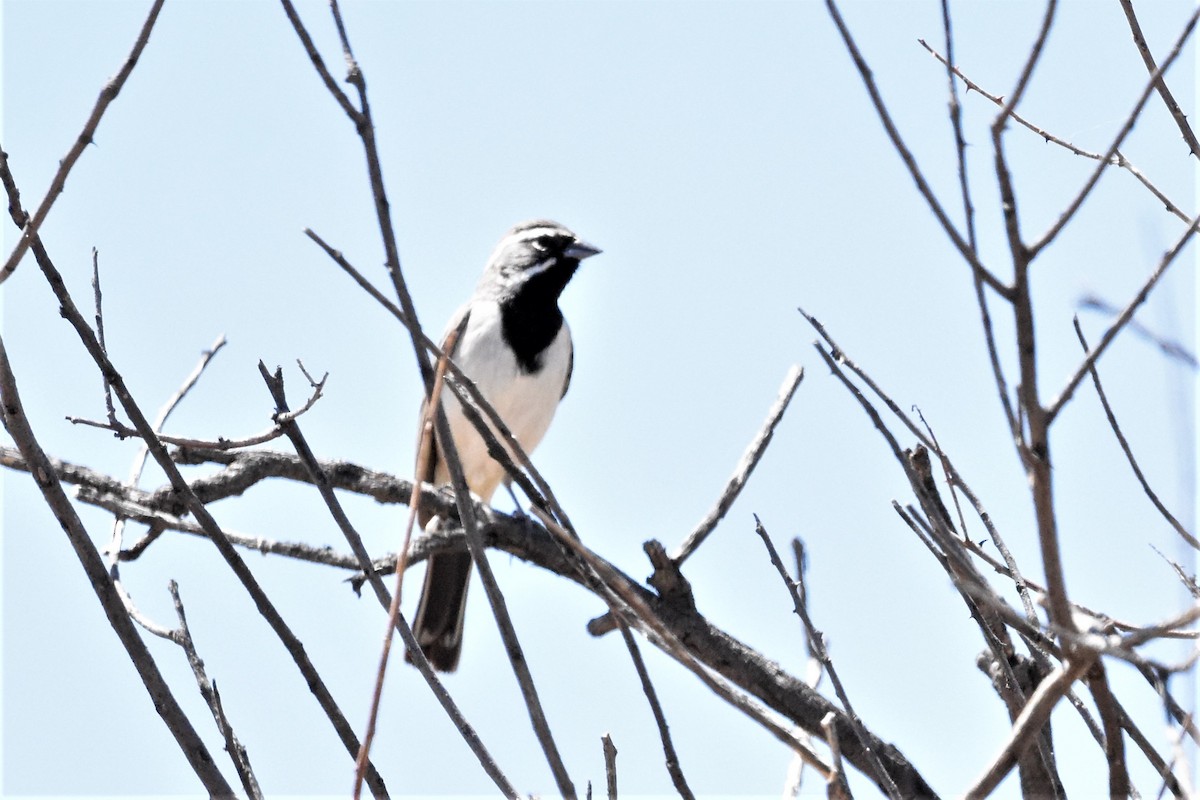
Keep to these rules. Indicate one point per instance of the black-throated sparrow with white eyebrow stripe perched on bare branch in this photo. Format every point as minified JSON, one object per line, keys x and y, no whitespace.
{"x":518,"y":351}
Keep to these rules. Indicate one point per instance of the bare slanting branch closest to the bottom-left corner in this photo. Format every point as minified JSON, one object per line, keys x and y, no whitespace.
{"x":165,"y":703}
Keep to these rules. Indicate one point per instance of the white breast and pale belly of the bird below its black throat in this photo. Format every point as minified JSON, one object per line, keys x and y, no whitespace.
{"x":526,"y":402}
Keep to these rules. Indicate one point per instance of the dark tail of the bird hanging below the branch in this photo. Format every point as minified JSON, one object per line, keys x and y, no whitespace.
{"x":439,"y":622}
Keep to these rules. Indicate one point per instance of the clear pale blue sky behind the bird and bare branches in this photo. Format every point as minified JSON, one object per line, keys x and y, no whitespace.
{"x":727,"y":159}
